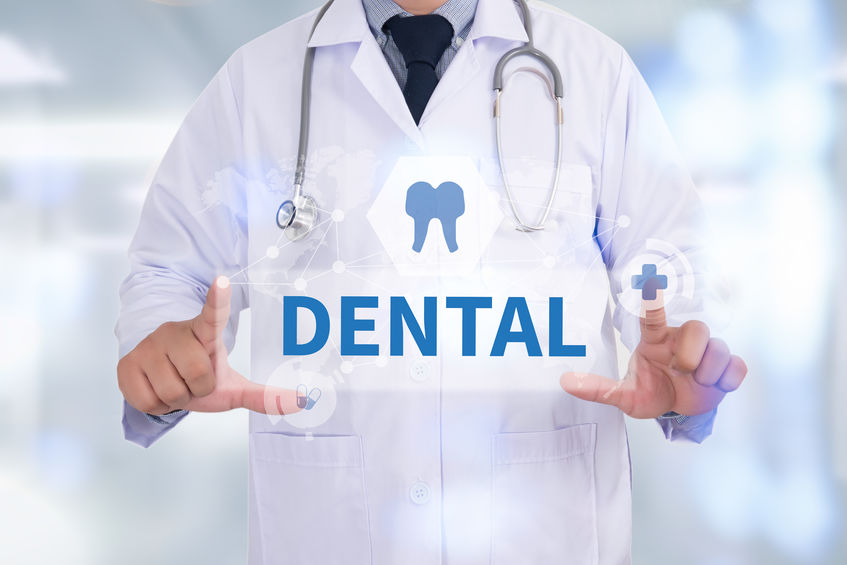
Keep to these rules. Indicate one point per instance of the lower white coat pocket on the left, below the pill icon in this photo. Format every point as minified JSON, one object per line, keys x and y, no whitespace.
{"x":310,"y":499}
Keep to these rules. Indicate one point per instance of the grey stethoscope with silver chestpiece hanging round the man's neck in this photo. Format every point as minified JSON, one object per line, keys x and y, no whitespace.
{"x":299,"y":215}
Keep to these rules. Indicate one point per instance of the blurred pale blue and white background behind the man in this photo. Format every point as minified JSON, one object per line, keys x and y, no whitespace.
{"x":92,"y":91}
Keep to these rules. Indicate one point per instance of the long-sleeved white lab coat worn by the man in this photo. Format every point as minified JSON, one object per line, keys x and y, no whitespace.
{"x":447,"y":459}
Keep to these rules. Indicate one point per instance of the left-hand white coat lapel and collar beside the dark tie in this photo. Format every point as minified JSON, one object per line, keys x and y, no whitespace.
{"x":345,"y":22}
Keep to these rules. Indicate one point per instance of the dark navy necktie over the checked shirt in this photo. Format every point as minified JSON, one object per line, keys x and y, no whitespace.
{"x":422,"y":41}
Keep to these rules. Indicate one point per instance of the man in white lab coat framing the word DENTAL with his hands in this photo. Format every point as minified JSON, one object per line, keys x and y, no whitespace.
{"x":397,"y":414}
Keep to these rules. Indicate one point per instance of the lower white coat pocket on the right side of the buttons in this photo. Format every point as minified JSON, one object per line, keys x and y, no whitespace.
{"x":544,"y":503}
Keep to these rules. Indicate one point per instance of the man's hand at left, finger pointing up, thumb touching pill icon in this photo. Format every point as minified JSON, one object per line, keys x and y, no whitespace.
{"x":184,"y":366}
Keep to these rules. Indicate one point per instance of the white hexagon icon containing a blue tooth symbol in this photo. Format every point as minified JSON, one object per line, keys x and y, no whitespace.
{"x":435,"y":216}
